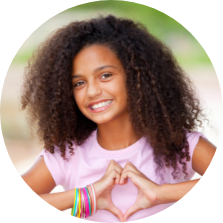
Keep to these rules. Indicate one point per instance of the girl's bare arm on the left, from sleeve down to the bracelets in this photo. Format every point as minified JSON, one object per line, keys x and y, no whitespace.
{"x":41,"y":182}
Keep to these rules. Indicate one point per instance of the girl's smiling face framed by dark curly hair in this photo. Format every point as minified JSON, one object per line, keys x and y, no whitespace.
{"x":98,"y":75}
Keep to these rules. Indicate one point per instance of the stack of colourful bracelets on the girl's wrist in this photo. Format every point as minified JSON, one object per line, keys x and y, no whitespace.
{"x":84,"y":204}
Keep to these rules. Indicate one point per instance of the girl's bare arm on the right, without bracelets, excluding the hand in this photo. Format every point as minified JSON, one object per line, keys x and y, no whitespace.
{"x":201,"y":160}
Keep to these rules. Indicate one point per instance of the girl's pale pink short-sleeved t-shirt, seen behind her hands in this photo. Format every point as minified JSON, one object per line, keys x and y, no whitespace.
{"x":90,"y":161}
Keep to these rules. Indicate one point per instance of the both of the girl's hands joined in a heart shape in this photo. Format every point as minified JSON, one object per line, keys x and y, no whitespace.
{"x":116,"y":175}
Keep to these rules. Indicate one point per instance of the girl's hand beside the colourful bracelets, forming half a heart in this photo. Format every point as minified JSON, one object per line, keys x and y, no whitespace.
{"x":104,"y":186}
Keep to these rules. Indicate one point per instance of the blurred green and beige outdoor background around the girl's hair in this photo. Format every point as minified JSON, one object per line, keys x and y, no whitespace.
{"x":187,"y":49}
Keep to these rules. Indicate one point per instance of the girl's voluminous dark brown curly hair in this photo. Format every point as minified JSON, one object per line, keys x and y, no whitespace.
{"x":161,"y":98}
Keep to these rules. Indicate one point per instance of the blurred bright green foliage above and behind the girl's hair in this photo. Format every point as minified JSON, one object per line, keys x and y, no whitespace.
{"x":157,"y":22}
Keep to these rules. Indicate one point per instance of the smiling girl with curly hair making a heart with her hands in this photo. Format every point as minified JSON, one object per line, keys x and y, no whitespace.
{"x":110,"y":102}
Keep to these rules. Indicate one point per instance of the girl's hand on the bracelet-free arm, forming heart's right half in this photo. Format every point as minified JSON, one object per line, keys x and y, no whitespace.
{"x":147,"y":190}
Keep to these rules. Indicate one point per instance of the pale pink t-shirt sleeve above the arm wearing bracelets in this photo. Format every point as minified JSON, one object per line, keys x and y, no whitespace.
{"x":53,"y":163}
